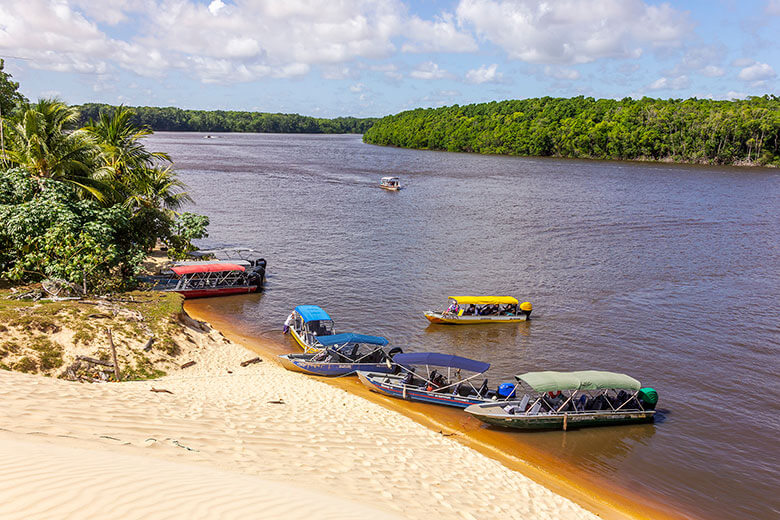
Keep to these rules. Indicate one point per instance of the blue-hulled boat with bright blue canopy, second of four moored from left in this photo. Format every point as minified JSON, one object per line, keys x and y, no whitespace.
{"x":344,"y":354}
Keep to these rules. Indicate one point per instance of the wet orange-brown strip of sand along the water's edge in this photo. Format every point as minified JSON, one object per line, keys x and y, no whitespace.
{"x":600,"y":498}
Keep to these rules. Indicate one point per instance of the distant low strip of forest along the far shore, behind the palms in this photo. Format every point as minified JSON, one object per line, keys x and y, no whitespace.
{"x":171,"y":119}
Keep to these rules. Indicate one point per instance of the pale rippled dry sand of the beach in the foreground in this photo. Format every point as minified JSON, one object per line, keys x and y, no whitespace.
{"x":224,"y":441}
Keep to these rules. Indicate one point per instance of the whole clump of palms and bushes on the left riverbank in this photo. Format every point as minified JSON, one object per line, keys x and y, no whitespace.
{"x":83,"y":203}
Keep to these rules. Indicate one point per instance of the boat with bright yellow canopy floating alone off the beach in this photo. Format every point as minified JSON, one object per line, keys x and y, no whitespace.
{"x":470,"y":310}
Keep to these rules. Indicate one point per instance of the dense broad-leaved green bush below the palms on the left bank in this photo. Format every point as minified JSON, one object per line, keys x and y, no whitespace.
{"x":53,"y":234}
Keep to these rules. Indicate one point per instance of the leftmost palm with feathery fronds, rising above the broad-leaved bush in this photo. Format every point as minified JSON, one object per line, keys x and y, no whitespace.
{"x":41,"y":143}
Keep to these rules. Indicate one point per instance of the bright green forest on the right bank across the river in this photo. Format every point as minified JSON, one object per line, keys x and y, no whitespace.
{"x":743,"y":132}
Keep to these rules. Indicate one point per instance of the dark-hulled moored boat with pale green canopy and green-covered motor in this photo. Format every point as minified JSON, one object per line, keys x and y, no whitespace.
{"x":562,"y":400}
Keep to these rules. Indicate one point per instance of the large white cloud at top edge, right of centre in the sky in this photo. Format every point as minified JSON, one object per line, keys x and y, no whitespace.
{"x":573,"y":31}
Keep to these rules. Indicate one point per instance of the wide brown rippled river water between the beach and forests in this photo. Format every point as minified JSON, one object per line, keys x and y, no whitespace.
{"x":668,"y":273}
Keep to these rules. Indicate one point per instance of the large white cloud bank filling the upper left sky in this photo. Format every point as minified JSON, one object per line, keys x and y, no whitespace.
{"x":221,"y":41}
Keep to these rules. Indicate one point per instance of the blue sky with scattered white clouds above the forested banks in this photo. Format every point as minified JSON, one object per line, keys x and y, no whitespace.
{"x":366,"y":58}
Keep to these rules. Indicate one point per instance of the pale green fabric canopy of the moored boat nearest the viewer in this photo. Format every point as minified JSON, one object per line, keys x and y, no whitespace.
{"x":550,"y":381}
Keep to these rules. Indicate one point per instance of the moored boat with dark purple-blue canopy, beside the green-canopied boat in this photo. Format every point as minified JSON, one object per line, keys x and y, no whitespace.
{"x":436,"y":386}
